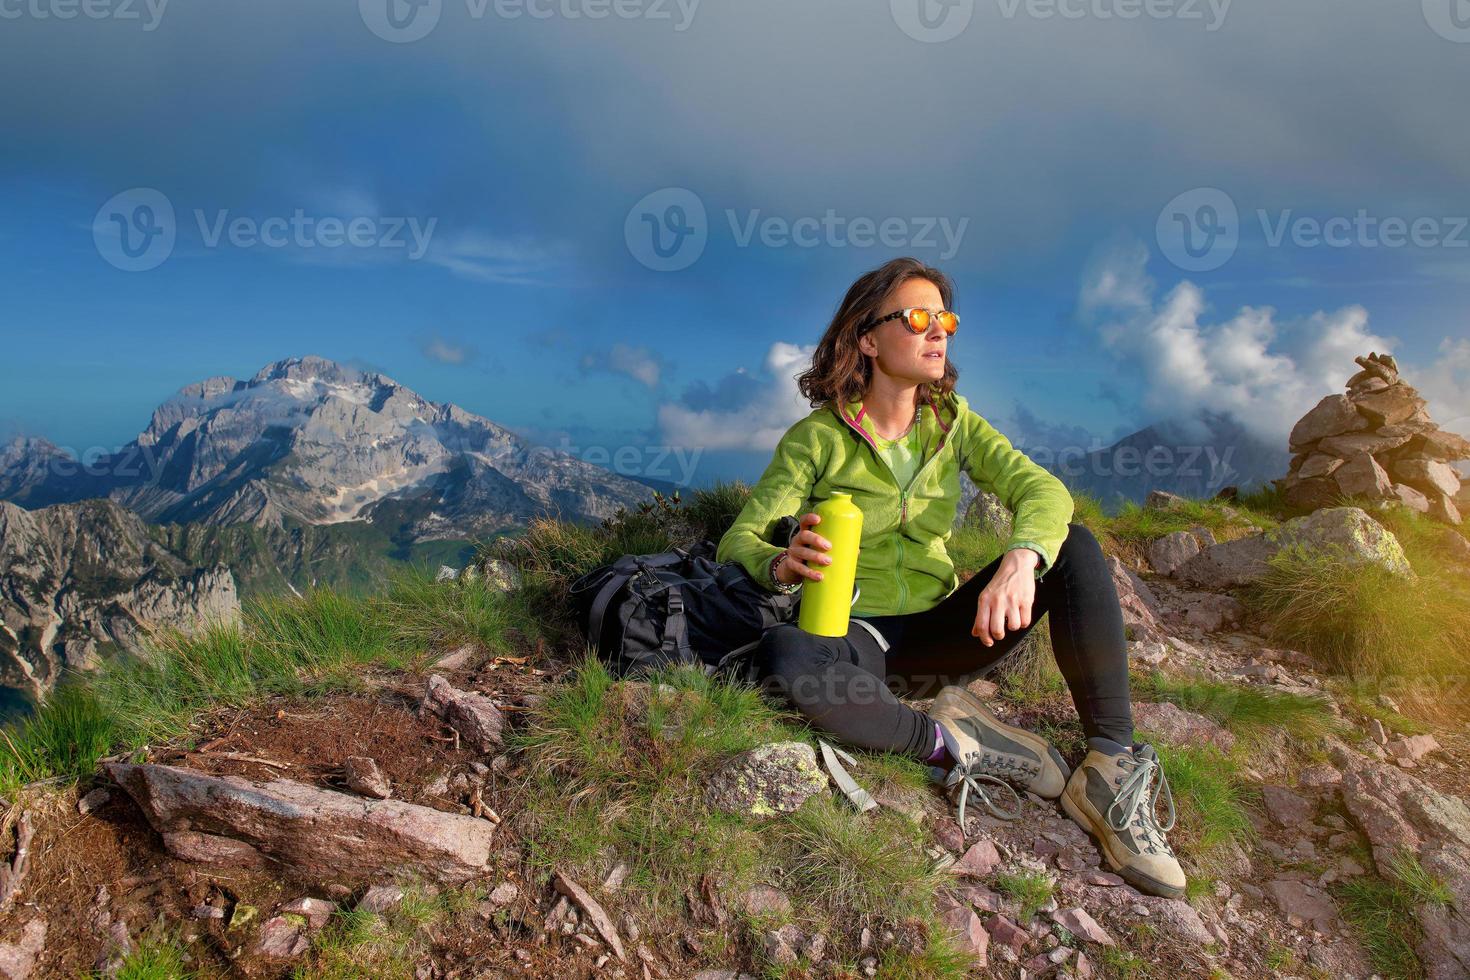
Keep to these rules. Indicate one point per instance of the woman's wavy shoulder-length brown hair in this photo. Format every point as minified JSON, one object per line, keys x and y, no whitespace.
{"x":840,"y":371}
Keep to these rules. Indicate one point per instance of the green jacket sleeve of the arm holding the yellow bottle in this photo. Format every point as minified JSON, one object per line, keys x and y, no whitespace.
{"x":780,"y":493}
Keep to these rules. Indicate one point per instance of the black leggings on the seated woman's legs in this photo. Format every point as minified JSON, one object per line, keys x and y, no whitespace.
{"x":846,"y":685}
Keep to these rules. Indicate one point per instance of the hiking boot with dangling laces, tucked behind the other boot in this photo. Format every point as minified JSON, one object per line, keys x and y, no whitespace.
{"x":990,"y":753}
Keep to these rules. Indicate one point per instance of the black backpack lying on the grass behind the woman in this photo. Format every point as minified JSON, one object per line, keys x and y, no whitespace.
{"x":680,"y":608}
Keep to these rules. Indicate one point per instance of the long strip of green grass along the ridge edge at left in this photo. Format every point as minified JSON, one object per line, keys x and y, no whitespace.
{"x":289,"y":646}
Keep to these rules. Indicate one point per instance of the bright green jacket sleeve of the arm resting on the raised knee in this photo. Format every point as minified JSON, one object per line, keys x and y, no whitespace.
{"x":1040,"y":502}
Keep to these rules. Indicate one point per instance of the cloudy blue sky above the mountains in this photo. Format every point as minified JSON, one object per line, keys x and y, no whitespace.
{"x":527,"y":142}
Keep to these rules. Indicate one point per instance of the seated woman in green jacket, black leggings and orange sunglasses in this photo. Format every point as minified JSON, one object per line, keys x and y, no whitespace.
{"x":890,"y":430}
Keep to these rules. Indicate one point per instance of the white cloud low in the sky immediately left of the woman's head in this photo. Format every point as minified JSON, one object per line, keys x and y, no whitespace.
{"x":755,"y":425}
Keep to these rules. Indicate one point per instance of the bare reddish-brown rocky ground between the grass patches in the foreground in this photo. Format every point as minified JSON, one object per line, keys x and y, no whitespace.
{"x":274,"y":819}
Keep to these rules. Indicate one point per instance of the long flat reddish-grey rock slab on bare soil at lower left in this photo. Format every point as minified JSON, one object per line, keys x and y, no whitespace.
{"x":317,"y":832}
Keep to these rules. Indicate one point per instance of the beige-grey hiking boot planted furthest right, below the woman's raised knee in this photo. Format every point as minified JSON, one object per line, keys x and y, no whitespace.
{"x":1114,"y":796}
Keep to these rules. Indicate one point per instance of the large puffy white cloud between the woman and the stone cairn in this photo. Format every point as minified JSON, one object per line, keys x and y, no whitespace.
{"x":1263,"y":371}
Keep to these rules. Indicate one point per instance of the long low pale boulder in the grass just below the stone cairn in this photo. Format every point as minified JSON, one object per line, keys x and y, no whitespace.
{"x":1350,"y":530}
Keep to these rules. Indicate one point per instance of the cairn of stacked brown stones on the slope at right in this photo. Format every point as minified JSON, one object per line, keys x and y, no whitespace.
{"x":1377,"y":442}
